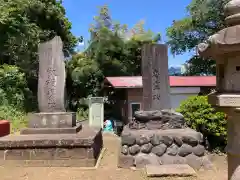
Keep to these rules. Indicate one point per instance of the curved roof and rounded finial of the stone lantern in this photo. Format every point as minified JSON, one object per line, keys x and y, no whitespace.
{"x":226,"y":40}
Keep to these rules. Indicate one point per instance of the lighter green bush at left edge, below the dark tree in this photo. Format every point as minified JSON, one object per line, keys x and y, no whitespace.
{"x":13,"y":97}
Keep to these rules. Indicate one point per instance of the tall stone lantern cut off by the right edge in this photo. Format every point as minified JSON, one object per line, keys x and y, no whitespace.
{"x":224,"y":47}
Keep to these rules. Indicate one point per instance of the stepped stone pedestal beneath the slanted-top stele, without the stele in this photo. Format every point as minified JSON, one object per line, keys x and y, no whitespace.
{"x":52,"y":139}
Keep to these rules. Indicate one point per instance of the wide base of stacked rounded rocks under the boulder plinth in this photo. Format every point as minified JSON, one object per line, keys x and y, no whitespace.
{"x":160,"y":147}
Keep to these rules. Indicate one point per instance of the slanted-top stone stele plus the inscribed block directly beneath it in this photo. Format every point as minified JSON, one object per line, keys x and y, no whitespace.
{"x":51,"y":88}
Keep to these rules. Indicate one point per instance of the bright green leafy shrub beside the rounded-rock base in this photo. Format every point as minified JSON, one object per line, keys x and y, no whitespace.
{"x":201,"y":116}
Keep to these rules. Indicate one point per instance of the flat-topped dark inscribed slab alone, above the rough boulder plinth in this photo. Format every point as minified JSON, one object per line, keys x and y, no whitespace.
{"x":154,"y":81}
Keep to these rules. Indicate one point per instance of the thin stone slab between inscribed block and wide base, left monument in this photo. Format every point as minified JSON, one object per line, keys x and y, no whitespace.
{"x":70,"y":130}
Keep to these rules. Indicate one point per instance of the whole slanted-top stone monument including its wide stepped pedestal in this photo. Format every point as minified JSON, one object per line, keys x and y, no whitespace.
{"x":53,"y":138}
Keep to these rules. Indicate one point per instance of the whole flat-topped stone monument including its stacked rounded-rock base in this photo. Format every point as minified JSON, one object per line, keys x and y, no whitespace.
{"x":158,"y":135}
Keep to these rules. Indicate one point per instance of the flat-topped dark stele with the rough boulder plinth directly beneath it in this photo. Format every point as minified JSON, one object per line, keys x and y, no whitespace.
{"x":156,"y":111}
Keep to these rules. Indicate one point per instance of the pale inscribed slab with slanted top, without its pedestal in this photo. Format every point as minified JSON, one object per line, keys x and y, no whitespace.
{"x":51,"y":81}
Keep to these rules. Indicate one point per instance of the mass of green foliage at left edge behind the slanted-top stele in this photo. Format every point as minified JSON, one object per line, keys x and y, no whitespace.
{"x":23,"y":25}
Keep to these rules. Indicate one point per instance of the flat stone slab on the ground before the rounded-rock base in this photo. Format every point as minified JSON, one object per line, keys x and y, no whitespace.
{"x":181,"y":170}
